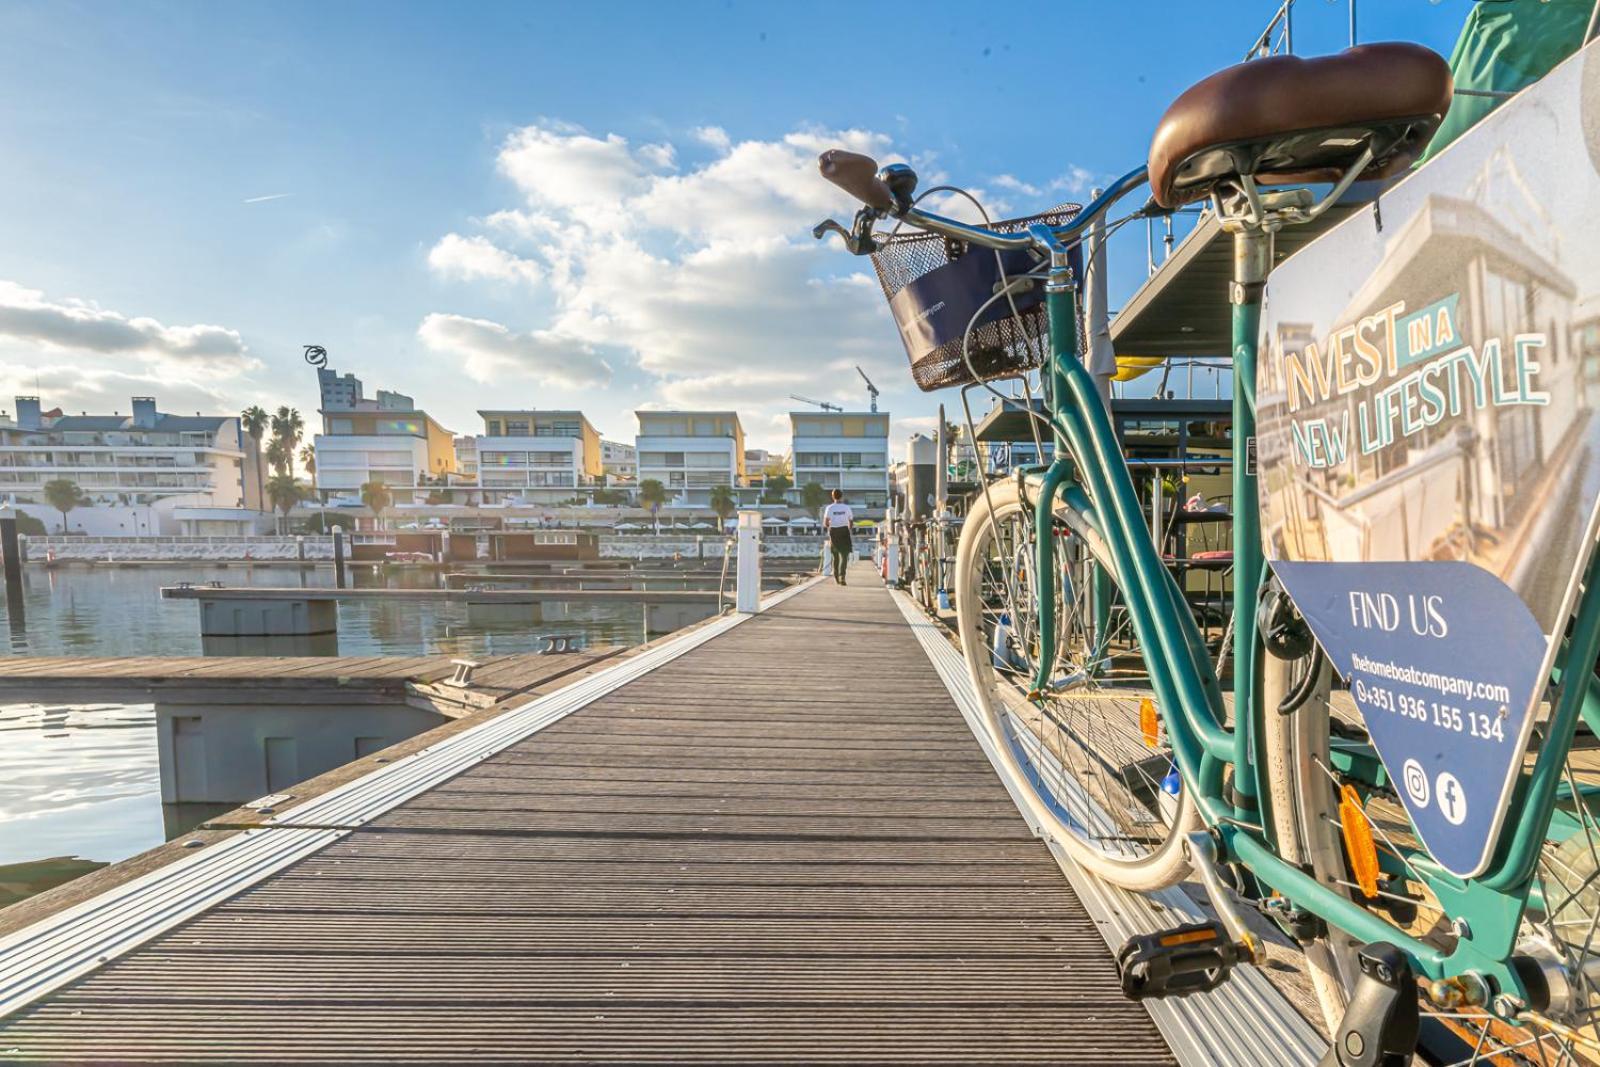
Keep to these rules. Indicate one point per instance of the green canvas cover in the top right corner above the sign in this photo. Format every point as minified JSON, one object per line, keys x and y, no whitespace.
{"x":1508,"y":46}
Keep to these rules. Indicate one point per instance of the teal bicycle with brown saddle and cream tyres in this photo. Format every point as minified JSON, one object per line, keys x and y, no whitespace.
{"x":1103,"y":698}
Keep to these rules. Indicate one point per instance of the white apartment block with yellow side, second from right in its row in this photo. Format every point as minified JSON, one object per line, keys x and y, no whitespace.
{"x":690,"y":452}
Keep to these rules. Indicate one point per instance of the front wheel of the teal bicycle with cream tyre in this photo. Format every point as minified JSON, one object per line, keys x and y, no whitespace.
{"x":1089,"y":756}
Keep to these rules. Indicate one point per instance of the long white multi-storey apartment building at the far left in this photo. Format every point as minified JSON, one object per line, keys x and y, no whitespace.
{"x":145,"y":466}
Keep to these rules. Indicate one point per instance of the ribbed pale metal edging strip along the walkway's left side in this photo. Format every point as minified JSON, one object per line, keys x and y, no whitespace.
{"x":62,"y":948}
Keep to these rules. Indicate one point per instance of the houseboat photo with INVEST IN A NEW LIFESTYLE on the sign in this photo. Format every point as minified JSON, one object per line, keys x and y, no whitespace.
{"x":1430,"y":391}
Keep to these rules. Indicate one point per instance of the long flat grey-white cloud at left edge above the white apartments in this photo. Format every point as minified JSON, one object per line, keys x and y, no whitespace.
{"x":86,"y":327}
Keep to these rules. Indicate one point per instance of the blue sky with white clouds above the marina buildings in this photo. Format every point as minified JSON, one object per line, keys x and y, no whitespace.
{"x":540,"y":206}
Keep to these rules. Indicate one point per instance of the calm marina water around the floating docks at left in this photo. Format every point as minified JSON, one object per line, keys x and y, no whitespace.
{"x":81,"y":783}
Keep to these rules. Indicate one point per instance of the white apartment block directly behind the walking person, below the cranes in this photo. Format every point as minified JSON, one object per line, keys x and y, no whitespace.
{"x":846,"y":450}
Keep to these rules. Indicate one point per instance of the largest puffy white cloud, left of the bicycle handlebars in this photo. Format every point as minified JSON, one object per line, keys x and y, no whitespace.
{"x":705,"y":274}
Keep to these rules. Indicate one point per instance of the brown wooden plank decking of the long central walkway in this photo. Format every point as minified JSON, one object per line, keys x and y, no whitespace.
{"x":782,"y":847}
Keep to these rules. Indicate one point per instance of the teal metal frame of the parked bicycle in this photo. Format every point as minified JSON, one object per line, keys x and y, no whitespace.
{"x":1090,"y":468}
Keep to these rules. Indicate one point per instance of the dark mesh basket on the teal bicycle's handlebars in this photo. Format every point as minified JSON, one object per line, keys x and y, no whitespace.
{"x":937,"y":286}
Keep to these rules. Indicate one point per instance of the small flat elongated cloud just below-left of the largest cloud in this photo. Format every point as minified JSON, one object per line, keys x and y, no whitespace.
{"x":490,"y":351}
